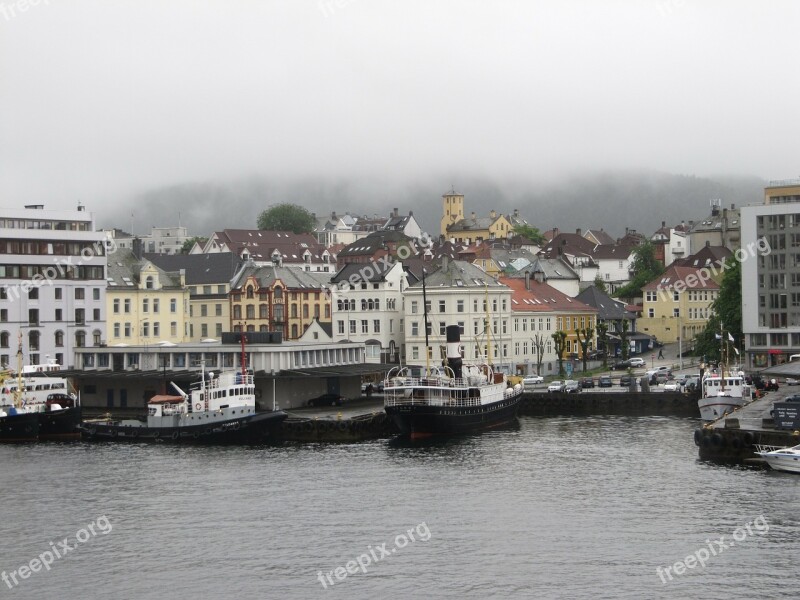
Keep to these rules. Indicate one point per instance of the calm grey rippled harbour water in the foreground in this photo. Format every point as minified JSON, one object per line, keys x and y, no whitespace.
{"x":556,"y":508}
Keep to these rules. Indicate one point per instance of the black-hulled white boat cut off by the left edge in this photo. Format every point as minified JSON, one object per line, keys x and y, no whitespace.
{"x":36,"y":405}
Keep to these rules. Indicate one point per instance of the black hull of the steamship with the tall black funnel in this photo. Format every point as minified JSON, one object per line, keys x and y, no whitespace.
{"x":420,"y":421}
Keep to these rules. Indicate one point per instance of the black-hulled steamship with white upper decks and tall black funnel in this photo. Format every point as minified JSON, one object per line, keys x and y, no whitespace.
{"x":451,"y":399}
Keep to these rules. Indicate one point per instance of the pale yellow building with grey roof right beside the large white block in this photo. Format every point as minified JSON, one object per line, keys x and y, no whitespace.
{"x":144,"y":304}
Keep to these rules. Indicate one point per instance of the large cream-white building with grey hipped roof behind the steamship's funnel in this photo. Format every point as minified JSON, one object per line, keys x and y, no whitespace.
{"x":458,"y":293}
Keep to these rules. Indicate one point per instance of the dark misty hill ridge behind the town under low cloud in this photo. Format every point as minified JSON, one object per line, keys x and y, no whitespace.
{"x":612,"y":200}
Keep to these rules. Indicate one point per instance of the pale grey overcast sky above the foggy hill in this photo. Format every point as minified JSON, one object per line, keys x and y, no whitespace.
{"x":102,"y":100}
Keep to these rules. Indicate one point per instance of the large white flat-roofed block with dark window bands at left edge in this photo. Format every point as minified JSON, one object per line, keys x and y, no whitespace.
{"x":52,"y":283}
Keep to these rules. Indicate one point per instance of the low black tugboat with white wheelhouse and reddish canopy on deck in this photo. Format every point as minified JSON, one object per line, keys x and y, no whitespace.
{"x":217,"y":410}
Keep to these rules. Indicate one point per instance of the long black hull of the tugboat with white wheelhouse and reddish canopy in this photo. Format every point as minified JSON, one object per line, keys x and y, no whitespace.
{"x":252,"y":429}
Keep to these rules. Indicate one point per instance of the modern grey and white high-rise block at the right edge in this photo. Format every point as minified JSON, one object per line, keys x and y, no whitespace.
{"x":771,"y":275}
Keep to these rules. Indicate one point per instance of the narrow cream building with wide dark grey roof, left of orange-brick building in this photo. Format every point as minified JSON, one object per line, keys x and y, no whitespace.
{"x":208,"y":277}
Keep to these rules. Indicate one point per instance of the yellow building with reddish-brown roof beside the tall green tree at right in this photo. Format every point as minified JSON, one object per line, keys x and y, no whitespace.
{"x":678,"y":303}
